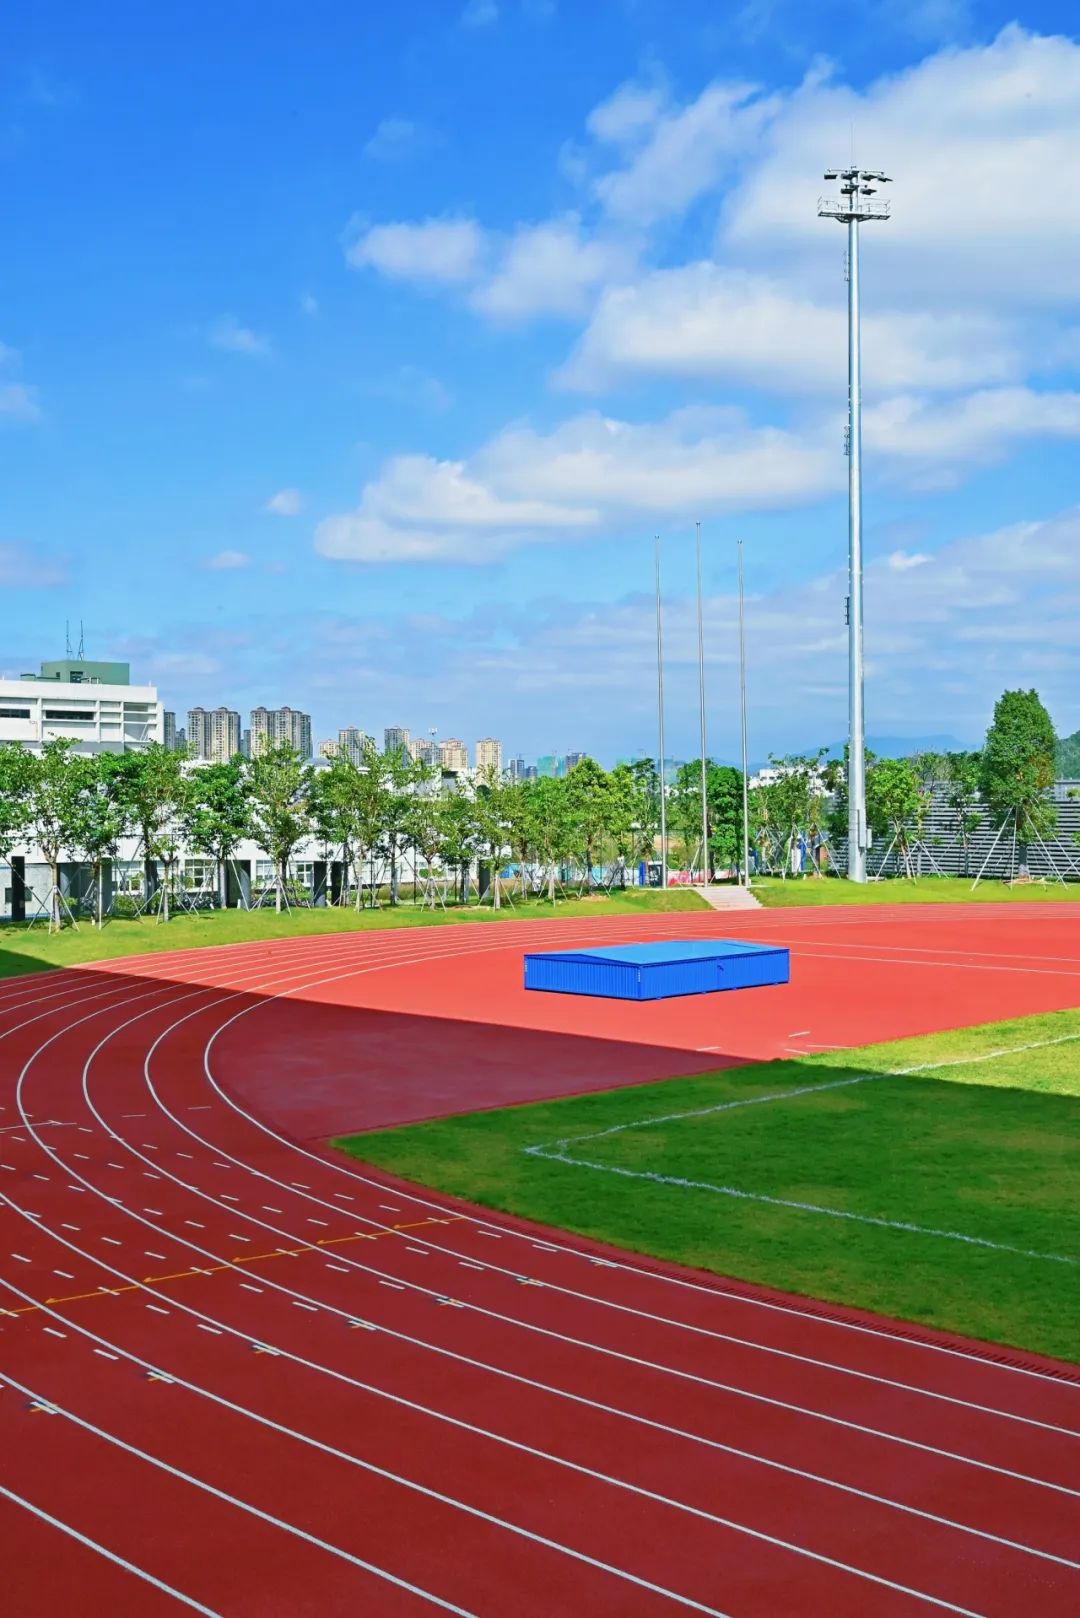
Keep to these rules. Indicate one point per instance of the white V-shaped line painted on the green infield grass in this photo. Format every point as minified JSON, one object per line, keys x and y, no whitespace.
{"x":561,"y":1151}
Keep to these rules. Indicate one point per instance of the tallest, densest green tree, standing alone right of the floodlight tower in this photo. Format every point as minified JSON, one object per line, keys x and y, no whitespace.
{"x":1018,"y":769}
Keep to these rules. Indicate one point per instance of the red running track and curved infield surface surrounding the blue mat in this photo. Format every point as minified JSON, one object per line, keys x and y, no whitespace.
{"x":245,"y":1378}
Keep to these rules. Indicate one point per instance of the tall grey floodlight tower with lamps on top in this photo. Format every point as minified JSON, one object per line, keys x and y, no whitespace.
{"x":859,"y":201}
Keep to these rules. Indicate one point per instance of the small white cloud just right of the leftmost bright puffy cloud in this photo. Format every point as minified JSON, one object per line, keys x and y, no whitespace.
{"x":551,"y":269}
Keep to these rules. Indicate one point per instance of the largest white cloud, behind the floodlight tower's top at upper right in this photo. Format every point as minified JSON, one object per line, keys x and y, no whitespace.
{"x":984,"y":145}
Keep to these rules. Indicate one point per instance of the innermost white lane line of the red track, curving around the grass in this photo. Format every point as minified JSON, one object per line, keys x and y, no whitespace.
{"x":716,"y":1292}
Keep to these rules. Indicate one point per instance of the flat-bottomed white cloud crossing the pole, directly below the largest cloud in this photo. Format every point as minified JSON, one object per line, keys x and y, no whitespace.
{"x":705,"y":321}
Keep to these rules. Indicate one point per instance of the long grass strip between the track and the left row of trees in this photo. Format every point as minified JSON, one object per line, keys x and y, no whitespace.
{"x":33,"y":951}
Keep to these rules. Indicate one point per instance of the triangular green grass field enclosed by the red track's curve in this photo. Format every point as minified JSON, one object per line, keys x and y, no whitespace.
{"x":974,"y":1146}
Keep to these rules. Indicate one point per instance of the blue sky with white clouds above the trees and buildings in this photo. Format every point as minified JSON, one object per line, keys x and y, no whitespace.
{"x":354,"y":355}
